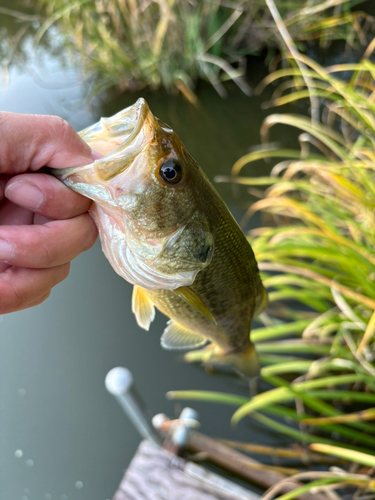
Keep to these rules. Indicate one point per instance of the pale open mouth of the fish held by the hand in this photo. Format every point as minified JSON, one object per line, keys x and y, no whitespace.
{"x":118,"y":138}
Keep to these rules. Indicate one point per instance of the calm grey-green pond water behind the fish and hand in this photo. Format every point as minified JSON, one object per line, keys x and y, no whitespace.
{"x":62,"y":436}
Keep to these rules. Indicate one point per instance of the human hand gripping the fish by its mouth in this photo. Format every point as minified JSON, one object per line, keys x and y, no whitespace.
{"x":43,"y":224}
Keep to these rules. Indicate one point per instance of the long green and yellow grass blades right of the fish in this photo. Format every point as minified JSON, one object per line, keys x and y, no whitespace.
{"x":316,"y":255}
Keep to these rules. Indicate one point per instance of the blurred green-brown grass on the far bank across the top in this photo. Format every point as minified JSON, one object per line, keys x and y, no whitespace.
{"x":134,"y":44}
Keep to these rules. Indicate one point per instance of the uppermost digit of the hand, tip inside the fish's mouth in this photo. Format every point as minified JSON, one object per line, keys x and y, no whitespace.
{"x":29,"y":142}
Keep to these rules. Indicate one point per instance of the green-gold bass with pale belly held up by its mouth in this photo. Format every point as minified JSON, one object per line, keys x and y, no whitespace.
{"x":165,"y":229}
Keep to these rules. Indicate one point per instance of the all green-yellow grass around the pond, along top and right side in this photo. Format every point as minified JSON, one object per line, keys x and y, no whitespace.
{"x":316,"y":249}
